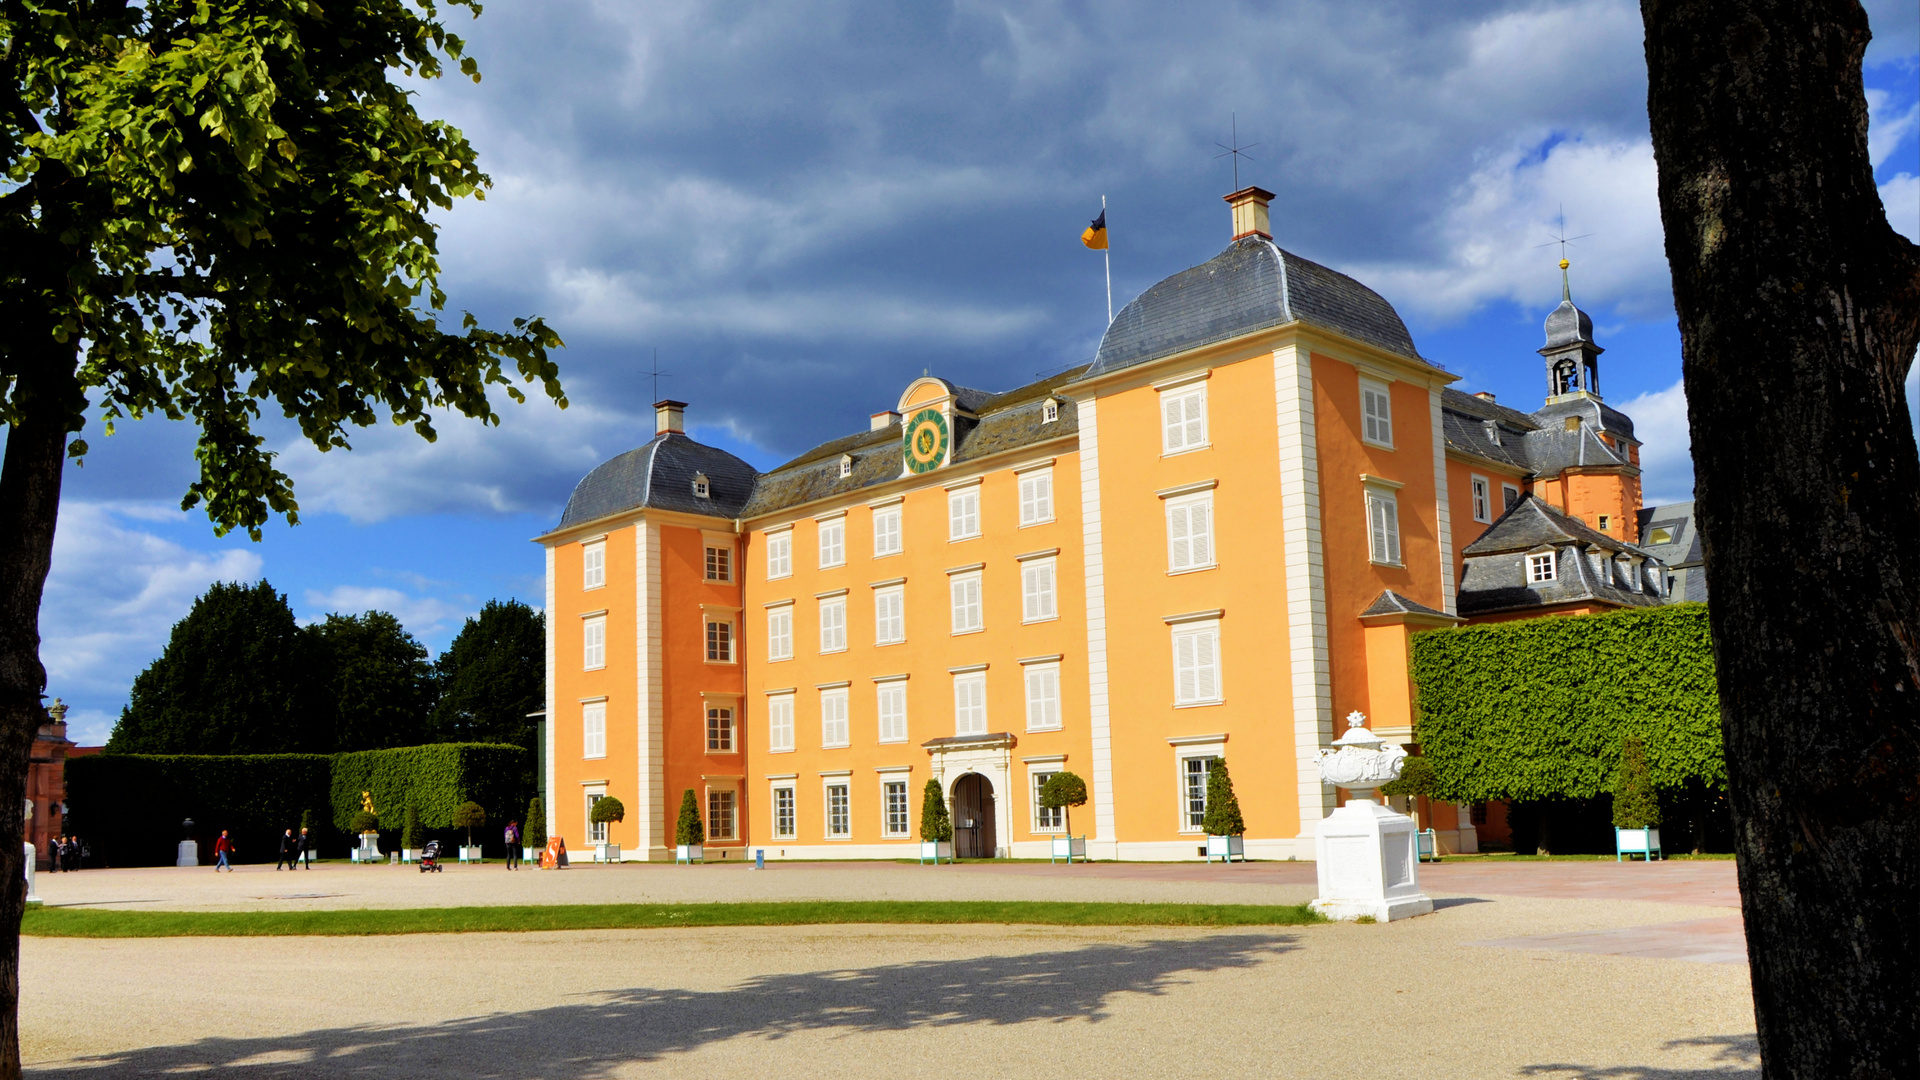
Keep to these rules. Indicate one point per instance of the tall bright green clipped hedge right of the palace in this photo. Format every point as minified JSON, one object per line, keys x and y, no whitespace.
{"x":1537,"y":710}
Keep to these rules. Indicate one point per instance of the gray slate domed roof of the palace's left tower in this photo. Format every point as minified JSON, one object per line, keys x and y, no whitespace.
{"x":661,"y":478}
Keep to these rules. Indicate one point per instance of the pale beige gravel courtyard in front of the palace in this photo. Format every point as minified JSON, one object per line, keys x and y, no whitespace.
{"x":1539,"y":970}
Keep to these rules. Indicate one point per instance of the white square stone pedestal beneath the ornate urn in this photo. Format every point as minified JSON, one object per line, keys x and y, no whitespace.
{"x":1368,"y":866}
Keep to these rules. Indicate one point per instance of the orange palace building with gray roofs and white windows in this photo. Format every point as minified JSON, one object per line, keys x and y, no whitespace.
{"x":1209,"y":543}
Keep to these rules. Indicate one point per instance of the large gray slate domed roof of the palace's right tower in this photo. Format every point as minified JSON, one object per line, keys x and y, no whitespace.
{"x":1249,"y":287}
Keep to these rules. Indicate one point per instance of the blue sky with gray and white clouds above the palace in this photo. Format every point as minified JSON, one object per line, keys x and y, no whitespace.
{"x":802,"y":207}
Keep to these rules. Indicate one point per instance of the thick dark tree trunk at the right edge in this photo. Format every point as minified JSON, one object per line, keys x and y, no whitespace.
{"x":1800,"y":310}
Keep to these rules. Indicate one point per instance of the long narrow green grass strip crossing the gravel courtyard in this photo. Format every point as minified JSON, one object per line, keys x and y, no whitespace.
{"x":95,"y":923}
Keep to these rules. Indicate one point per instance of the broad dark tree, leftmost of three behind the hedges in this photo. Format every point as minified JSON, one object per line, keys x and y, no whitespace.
{"x":237,"y":677}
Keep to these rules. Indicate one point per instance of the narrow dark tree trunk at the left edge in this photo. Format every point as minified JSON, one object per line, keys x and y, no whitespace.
{"x":30,"y":504}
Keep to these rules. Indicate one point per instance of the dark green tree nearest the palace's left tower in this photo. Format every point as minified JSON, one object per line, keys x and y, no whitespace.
{"x":492,"y":677}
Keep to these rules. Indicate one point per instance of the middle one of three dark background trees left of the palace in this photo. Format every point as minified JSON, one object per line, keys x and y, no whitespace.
{"x":379,"y":687}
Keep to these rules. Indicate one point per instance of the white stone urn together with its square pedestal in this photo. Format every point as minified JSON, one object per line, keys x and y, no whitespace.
{"x":1368,"y":864}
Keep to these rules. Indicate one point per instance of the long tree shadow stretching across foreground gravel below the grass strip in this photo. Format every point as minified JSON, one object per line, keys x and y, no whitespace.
{"x":600,"y":1035}
